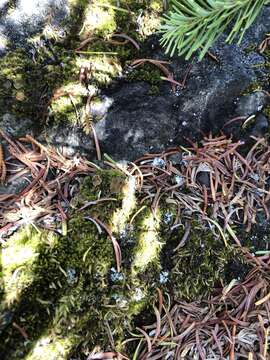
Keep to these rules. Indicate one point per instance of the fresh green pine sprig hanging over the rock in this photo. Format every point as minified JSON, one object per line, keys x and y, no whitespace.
{"x":193,"y":25}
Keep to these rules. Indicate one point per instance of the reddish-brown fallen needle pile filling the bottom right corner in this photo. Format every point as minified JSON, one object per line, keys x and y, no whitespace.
{"x":234,"y":324}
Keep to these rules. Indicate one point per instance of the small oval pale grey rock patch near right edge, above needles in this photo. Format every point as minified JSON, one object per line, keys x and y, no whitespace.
{"x":252,"y":103}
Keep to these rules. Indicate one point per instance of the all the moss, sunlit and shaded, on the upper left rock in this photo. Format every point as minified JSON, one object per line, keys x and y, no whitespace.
{"x":30,"y":80}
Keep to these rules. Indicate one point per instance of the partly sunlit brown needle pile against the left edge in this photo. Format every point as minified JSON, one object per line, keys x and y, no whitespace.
{"x":49,"y":184}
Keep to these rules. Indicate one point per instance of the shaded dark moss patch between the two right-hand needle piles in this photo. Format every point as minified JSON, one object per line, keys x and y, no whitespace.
{"x":201,"y":264}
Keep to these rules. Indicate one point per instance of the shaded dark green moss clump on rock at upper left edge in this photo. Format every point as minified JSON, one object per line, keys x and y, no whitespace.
{"x":29,"y":85}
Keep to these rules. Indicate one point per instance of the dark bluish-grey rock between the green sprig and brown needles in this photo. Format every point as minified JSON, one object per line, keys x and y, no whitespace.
{"x":138,"y":122}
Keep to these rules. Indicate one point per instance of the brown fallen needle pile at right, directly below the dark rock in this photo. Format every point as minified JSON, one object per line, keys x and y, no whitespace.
{"x":213,"y":181}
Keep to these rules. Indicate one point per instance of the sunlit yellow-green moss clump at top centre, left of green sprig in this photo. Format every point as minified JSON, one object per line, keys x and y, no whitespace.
{"x":122,"y":20}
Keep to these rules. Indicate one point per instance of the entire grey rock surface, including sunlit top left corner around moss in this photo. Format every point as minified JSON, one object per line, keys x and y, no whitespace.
{"x":133,"y":121}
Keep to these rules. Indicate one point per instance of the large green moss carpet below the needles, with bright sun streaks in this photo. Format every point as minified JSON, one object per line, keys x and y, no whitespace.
{"x":69,"y":294}
